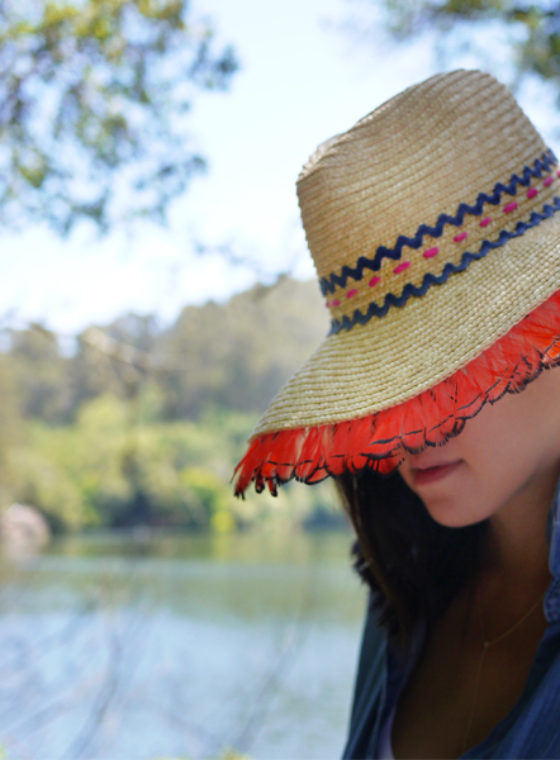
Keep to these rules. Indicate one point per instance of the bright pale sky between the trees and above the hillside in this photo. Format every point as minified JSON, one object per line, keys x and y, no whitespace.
{"x":302,"y":78}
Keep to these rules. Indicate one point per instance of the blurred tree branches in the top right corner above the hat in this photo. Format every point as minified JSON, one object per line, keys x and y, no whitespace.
{"x":532,"y":29}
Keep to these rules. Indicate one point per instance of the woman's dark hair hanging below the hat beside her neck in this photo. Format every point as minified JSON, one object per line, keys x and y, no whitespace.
{"x":413,"y":565}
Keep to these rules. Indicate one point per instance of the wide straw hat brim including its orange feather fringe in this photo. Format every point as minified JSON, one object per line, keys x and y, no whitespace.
{"x":522,"y":327}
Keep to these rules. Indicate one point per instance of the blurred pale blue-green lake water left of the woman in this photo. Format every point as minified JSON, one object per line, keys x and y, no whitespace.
{"x":168,"y":646}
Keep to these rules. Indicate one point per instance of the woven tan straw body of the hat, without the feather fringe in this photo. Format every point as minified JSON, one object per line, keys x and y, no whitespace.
{"x":422,"y":154}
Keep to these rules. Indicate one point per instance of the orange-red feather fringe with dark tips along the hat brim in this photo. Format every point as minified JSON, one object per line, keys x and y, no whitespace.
{"x":429,"y":419}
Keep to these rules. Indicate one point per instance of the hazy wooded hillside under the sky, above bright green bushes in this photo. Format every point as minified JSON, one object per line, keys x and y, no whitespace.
{"x":234,"y":355}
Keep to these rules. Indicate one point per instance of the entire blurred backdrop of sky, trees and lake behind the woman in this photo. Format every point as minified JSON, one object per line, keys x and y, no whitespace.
{"x":156,"y":293}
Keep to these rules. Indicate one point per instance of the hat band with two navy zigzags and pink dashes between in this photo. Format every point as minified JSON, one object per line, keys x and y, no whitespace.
{"x":392,"y":275}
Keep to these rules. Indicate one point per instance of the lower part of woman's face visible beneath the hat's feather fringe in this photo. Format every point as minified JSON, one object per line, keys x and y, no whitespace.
{"x":507,"y":452}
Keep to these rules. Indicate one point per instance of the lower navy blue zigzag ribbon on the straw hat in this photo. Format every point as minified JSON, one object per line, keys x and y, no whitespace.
{"x":375,"y":310}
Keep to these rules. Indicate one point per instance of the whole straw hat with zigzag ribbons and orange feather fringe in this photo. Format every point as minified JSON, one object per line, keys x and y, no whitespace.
{"x":434,"y":230}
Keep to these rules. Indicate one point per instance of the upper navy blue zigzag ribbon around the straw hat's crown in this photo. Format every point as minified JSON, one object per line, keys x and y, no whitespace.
{"x":329,"y":283}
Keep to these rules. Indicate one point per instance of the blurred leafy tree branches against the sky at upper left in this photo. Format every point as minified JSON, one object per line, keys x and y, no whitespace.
{"x":94,"y":102}
